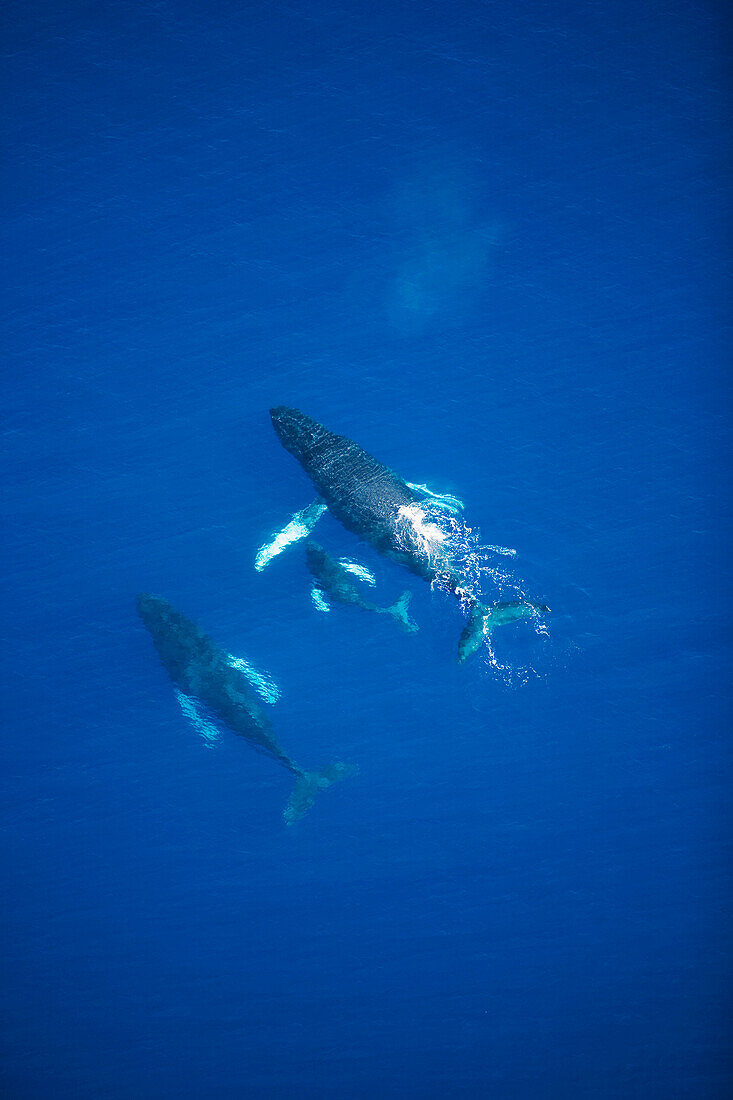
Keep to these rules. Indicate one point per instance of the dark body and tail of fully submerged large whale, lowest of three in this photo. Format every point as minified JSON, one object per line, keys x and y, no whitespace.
{"x":220,"y":683}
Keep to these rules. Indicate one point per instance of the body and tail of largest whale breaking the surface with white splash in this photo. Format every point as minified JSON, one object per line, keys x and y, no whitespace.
{"x":376,"y":504}
